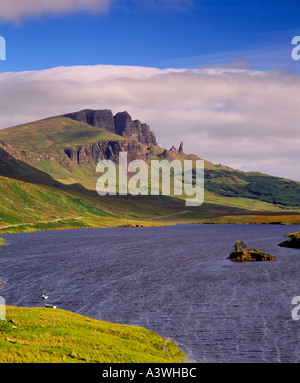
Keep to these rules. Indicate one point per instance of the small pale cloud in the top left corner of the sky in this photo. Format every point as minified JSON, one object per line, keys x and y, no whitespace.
{"x":14,"y":10}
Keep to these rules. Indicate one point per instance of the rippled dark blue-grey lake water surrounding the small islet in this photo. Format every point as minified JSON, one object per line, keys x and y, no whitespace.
{"x":173,"y":280}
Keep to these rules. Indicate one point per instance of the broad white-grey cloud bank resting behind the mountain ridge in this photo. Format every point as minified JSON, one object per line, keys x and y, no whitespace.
{"x":241,"y":118}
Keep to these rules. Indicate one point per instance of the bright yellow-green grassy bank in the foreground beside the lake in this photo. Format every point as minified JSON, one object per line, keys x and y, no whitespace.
{"x":43,"y":335}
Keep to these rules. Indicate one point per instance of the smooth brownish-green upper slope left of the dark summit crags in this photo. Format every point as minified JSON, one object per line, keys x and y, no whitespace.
{"x":52,"y":135}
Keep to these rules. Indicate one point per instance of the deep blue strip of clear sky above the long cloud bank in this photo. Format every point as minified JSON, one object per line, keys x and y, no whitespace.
{"x":161,"y":33}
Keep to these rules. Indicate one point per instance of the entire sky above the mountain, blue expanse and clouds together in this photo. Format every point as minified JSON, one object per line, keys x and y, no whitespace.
{"x":217,"y":75}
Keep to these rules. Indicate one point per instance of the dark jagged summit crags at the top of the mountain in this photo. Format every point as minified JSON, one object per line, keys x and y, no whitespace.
{"x":121,"y":124}
